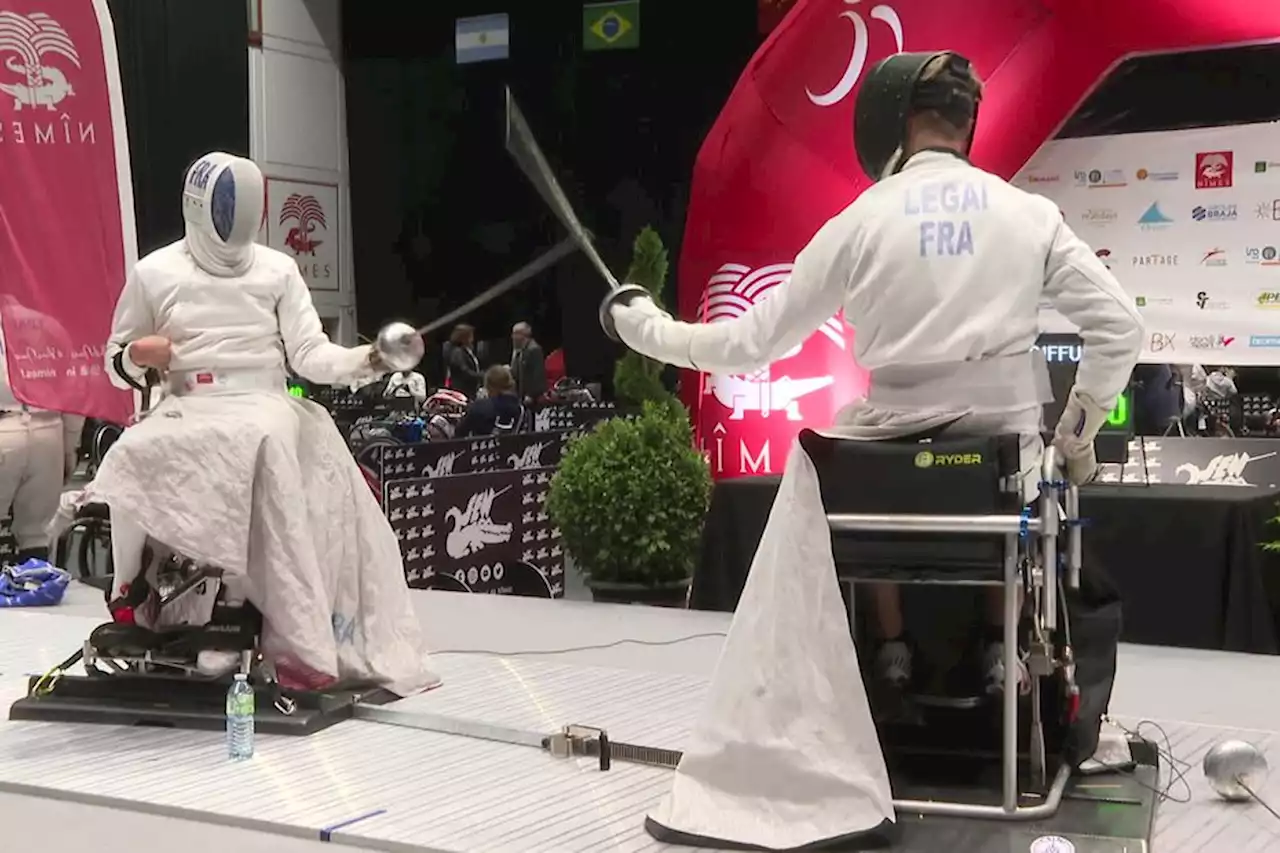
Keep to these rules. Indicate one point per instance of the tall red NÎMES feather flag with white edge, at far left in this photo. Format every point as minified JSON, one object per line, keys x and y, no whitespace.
{"x":67,"y":230}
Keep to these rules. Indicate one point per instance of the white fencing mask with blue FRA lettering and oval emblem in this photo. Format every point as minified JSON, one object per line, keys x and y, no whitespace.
{"x":223,"y":200}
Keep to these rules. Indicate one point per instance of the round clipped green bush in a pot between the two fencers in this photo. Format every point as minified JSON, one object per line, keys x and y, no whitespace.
{"x":630,"y":499}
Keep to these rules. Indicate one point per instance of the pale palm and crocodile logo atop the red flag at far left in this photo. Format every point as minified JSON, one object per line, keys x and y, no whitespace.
{"x":35,"y":39}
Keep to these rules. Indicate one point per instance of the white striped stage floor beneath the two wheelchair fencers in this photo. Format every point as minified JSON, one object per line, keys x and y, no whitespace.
{"x":641,"y":673}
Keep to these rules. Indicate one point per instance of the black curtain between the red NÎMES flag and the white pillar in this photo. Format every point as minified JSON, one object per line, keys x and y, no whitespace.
{"x":185,"y":72}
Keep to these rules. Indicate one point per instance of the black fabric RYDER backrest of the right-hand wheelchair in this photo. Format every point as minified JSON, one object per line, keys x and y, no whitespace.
{"x":913,"y":477}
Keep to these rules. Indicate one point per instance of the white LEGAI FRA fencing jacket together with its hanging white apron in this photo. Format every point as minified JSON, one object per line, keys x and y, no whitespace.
{"x":941,"y":270}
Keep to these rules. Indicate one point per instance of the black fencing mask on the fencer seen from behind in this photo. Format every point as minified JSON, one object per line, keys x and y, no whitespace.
{"x":894,"y":92}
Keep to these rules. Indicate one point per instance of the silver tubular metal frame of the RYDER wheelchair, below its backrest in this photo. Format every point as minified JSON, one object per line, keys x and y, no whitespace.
{"x":1049,"y":528}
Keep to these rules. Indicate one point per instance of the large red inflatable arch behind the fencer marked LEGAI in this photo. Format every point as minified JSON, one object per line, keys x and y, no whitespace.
{"x":780,"y":162}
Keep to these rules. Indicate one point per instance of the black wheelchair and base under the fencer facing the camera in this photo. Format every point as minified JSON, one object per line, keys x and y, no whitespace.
{"x":173,"y":645}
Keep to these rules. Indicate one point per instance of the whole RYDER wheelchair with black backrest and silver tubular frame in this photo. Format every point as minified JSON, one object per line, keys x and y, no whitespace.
{"x":952,"y":512}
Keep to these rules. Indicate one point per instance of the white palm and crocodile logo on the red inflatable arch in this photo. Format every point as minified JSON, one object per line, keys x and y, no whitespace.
{"x":732,"y":291}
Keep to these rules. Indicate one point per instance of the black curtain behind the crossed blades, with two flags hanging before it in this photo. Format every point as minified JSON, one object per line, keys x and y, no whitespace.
{"x":440,"y":212}
